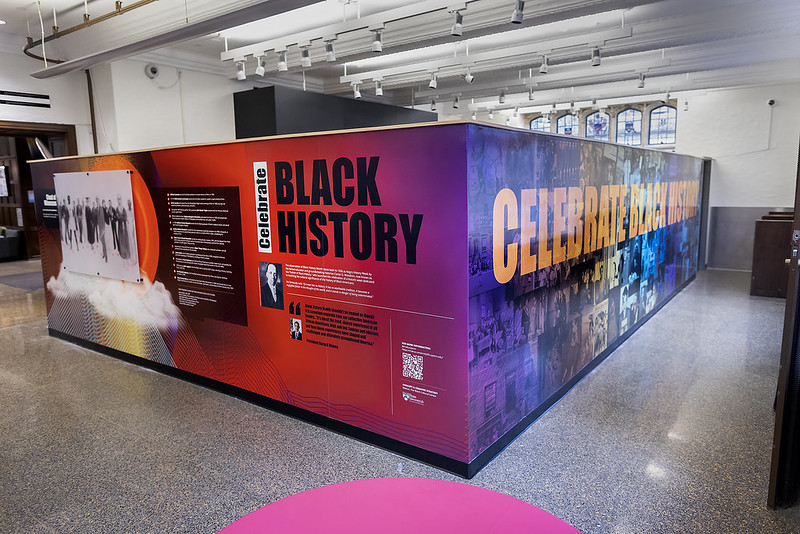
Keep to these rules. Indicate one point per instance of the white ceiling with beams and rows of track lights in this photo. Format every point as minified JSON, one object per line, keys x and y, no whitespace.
{"x":677,"y":44}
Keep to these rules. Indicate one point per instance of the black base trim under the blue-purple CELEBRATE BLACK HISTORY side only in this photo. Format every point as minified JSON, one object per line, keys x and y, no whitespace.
{"x":497,"y":447}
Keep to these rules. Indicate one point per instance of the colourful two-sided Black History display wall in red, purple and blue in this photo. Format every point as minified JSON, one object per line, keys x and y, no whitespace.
{"x":431,"y":289}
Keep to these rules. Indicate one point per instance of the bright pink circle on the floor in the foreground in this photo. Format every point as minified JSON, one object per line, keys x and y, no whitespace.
{"x":399,"y":505}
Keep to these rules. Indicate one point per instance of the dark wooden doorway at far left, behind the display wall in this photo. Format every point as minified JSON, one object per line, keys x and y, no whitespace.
{"x":18,"y":145}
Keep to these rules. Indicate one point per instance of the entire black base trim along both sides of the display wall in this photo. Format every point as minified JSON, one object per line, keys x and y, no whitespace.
{"x":466,"y":470}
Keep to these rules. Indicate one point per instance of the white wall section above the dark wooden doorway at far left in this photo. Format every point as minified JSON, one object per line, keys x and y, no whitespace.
{"x":69,"y":102}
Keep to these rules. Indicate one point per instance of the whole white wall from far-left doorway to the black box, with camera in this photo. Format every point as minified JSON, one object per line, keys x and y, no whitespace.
{"x":132,"y":111}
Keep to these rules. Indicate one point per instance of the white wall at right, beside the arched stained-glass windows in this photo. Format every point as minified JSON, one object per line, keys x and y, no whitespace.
{"x":754,"y":146}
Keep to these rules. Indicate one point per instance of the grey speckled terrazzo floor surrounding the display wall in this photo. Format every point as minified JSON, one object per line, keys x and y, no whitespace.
{"x":672,"y":433}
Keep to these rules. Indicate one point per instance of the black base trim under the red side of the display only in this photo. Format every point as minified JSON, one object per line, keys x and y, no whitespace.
{"x":416,"y":453}
